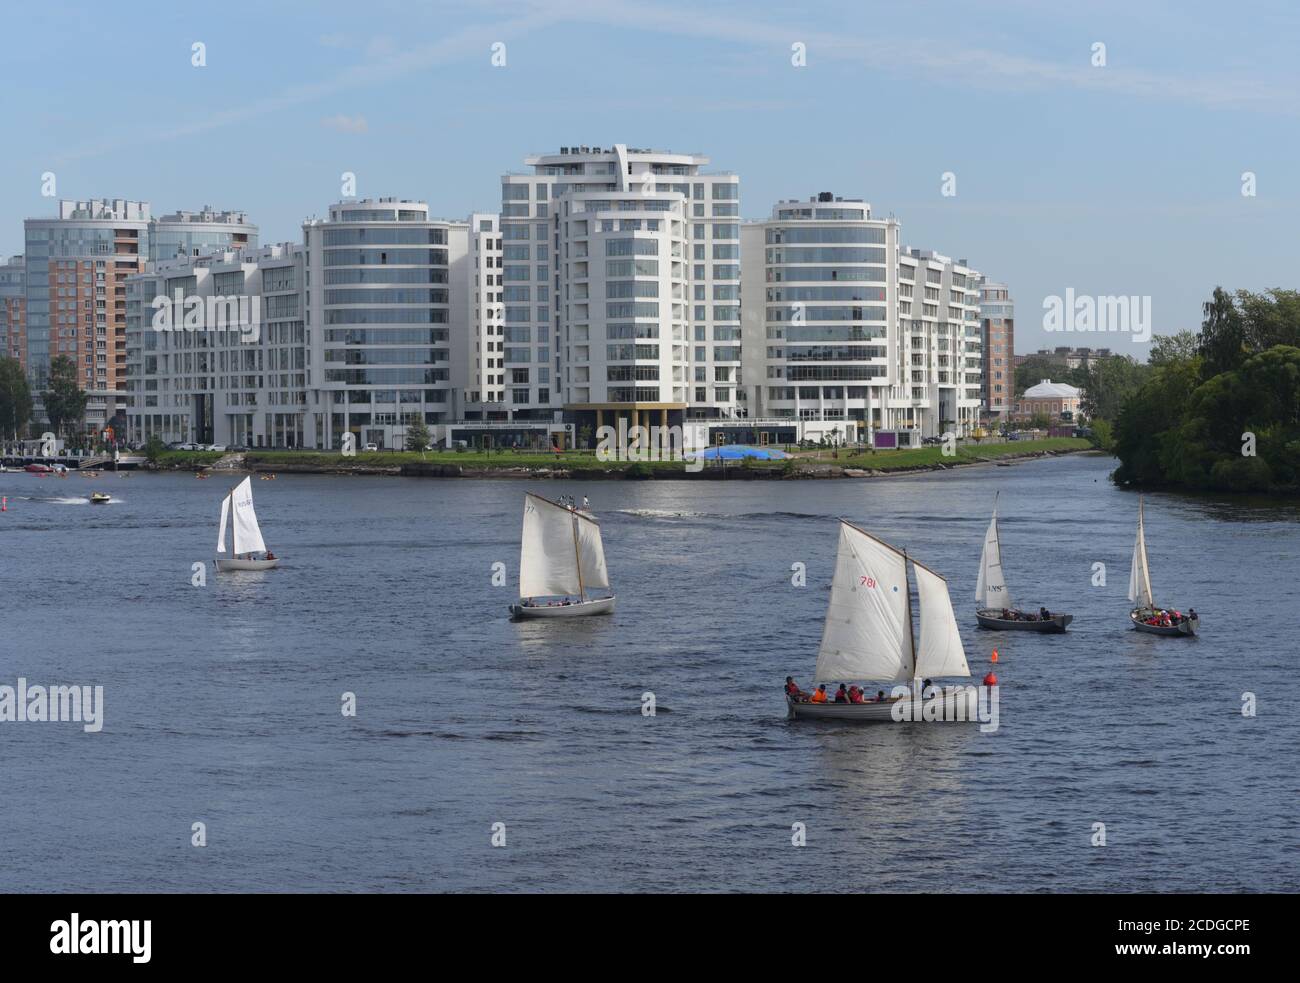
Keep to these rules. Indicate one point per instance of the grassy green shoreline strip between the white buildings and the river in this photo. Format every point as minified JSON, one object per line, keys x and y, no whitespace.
{"x":801,"y":470}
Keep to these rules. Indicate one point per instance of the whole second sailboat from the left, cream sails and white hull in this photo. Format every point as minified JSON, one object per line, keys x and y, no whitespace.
{"x":561,"y":560}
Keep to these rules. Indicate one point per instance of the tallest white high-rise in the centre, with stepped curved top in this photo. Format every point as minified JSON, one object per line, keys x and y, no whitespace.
{"x":621,"y":288}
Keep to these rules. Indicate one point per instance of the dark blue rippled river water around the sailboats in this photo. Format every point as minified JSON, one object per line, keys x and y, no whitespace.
{"x":223,"y":703}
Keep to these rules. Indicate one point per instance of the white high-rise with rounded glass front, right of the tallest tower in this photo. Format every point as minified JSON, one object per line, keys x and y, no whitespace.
{"x":848,"y":335}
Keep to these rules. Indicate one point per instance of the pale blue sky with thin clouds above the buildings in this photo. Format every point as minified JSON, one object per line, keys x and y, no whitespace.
{"x":1116,"y":180}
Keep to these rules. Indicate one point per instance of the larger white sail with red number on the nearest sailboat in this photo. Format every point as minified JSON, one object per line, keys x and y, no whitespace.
{"x":866,"y":634}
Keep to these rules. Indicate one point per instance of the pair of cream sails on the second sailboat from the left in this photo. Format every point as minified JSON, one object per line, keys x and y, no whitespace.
{"x":561,"y":553}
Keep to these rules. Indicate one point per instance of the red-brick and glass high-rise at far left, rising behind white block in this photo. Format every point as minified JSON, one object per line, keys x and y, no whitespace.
{"x":77,"y":266}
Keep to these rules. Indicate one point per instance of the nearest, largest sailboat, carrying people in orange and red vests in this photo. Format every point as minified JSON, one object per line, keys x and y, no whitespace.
{"x":869,"y":635}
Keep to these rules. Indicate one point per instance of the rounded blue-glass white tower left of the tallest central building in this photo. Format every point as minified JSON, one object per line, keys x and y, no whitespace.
{"x":384,"y":288}
